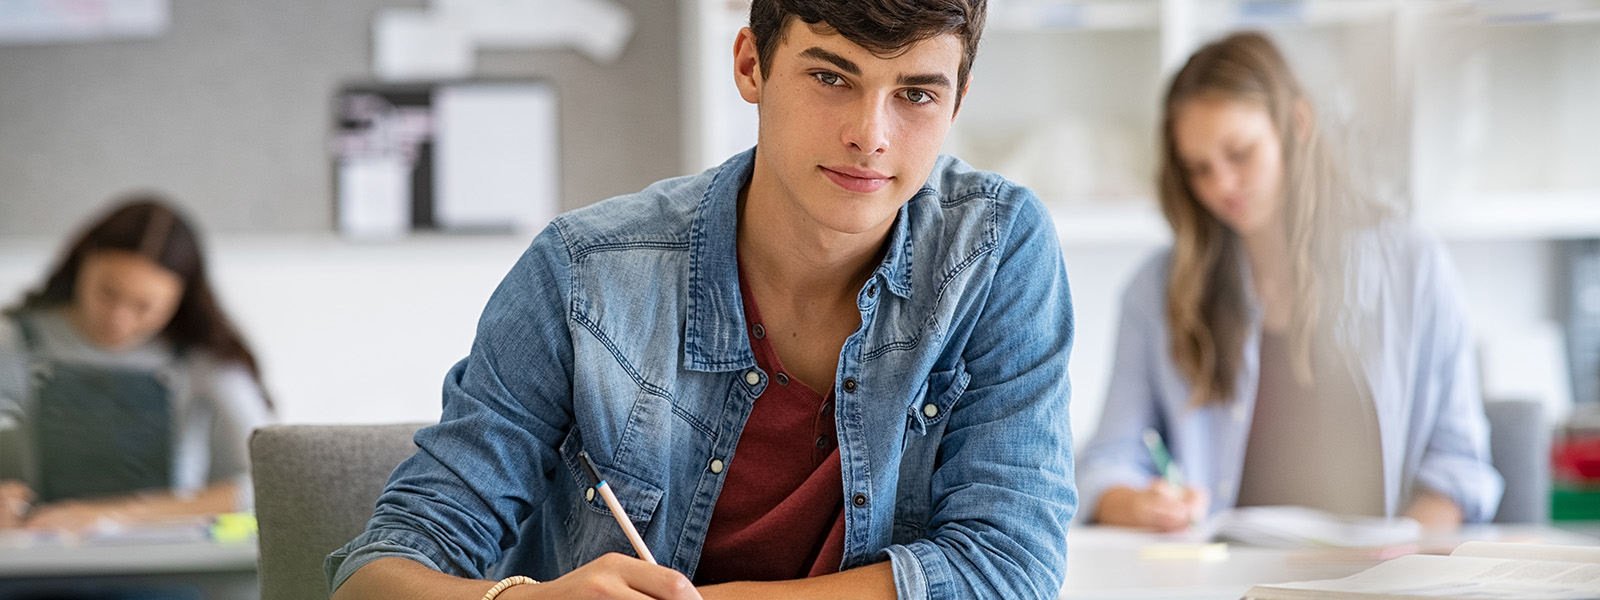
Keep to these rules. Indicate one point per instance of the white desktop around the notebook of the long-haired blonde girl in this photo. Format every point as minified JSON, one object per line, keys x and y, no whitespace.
{"x":1105,"y":562}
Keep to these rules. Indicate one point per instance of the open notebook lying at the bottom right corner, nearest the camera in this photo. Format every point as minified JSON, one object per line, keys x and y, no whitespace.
{"x":1474,"y":570}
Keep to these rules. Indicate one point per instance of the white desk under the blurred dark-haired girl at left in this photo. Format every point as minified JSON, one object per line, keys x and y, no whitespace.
{"x":199,"y":569}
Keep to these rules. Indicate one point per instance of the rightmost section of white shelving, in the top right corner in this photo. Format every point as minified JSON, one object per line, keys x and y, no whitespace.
{"x":1506,"y":122}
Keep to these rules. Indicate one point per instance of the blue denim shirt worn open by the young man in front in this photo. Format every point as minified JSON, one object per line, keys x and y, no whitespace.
{"x":622,"y":332}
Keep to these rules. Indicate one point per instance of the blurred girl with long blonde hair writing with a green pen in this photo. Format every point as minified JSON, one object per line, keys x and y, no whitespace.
{"x":1298,"y":343}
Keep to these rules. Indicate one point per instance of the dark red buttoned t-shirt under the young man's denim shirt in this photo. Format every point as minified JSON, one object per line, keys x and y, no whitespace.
{"x":782,"y":511}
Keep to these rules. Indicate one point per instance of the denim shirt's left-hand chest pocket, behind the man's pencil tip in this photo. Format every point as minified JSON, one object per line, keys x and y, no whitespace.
{"x":591,"y":529}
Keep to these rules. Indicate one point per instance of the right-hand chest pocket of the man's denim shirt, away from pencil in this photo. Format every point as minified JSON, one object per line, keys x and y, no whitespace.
{"x":927,"y":417}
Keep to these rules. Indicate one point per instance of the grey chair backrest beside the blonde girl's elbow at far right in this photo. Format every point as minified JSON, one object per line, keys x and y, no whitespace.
{"x":1521,"y":450}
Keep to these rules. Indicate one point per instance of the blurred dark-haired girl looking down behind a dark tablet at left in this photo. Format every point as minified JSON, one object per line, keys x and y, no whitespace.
{"x":129,"y":393}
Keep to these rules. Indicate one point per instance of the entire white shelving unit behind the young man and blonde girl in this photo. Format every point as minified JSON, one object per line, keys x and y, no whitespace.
{"x":1481,"y":114}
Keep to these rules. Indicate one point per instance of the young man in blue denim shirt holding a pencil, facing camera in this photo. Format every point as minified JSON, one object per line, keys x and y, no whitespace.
{"x":833,"y":367}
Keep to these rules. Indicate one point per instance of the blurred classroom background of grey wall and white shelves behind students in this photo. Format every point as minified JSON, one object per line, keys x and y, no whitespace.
{"x":369,"y":170}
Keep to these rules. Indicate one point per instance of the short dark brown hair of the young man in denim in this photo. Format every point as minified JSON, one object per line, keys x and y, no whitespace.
{"x":884,"y":28}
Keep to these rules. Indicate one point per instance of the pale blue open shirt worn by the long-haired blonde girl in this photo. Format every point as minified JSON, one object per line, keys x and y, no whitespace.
{"x":1406,"y":327}
